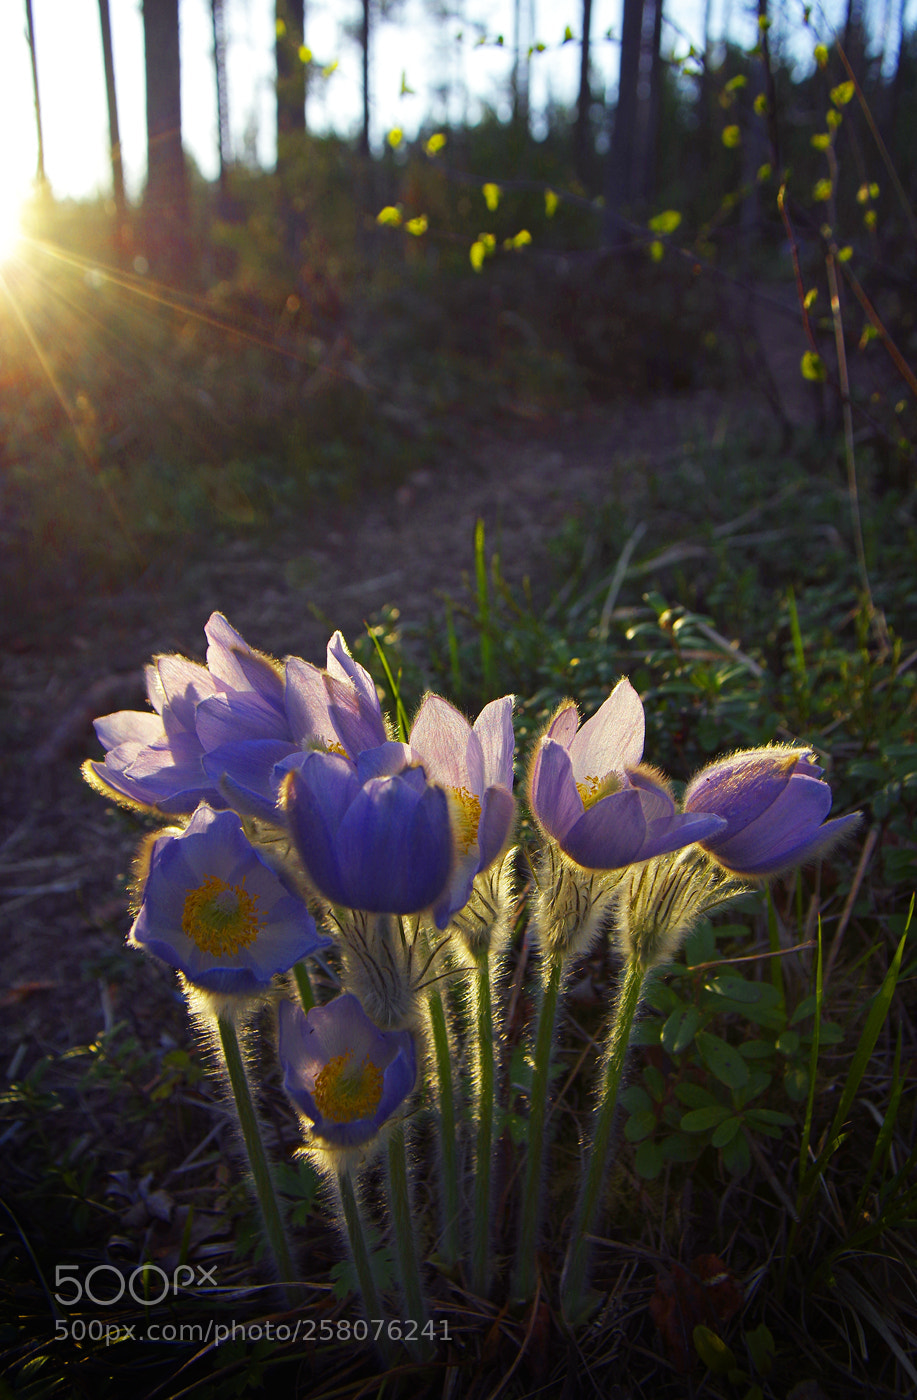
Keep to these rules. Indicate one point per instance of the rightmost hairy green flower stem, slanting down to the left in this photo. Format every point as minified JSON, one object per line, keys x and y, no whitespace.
{"x":576,"y":1276}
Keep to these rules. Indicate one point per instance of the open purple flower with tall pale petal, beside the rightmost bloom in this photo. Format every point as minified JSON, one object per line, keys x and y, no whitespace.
{"x":591,"y":797}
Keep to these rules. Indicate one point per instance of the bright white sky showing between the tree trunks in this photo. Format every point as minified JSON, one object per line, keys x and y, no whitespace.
{"x":72,"y":85}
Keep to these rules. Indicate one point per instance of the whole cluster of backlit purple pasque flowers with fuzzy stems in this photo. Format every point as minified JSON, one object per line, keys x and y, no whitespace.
{"x":295,"y":808}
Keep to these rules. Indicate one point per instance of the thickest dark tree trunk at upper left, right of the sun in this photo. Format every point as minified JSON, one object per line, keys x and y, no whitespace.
{"x":166,"y":204}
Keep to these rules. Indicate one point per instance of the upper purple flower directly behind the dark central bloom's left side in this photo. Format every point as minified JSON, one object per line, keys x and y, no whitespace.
{"x":335,"y":710}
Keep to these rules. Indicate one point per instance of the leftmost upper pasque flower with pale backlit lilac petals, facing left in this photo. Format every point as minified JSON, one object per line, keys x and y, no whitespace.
{"x":157,"y":761}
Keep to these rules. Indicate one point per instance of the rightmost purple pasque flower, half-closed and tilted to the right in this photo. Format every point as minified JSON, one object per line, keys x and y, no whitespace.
{"x":773,"y":803}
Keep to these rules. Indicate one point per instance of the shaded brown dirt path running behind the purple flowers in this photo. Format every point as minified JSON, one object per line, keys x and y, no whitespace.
{"x":65,"y":853}
